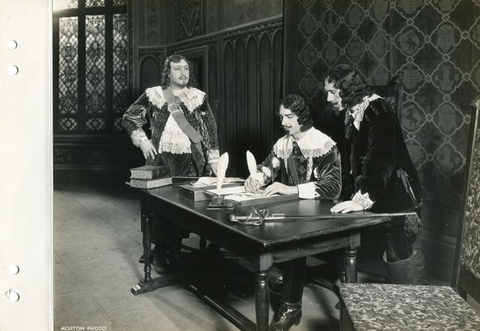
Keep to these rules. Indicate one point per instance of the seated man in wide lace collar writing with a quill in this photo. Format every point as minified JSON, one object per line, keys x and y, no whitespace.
{"x":304,"y":162}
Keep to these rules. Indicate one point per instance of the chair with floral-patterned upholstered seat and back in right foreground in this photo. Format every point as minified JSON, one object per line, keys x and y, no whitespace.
{"x":423,"y":307}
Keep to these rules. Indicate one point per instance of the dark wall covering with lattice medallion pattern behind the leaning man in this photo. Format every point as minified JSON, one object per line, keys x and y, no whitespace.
{"x":436,"y":43}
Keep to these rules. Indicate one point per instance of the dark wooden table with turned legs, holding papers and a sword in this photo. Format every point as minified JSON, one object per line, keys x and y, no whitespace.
{"x":272,"y":242}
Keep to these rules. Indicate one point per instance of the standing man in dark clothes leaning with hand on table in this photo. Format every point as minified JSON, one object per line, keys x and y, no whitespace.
{"x":379,"y":174}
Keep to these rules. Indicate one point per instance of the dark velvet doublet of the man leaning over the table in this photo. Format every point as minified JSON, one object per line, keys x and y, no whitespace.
{"x":377,"y":151}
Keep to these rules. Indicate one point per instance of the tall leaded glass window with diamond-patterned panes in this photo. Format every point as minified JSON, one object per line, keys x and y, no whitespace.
{"x":90,"y":66}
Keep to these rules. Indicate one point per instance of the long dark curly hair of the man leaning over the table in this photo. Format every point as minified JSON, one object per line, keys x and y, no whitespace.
{"x":351,"y":83}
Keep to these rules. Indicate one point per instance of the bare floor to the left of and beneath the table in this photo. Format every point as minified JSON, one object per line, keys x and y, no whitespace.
{"x":97,"y":244}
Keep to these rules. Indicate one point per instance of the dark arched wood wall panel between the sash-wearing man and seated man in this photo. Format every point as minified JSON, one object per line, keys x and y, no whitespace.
{"x":252,"y":88}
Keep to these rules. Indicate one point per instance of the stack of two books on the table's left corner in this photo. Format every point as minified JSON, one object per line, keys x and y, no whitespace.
{"x":148,"y":177}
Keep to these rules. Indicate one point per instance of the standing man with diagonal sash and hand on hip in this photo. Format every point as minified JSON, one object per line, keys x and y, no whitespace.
{"x":183,"y":136}
